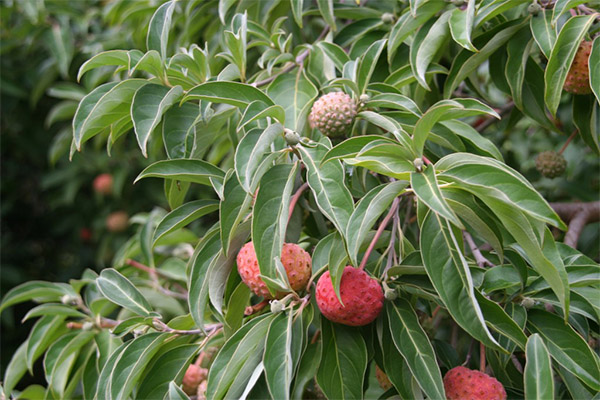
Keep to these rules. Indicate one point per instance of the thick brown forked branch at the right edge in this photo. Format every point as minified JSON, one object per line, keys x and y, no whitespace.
{"x":578,"y":215}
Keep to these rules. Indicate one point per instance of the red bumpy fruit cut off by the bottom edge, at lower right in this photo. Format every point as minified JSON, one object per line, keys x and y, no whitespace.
{"x":462,"y":383}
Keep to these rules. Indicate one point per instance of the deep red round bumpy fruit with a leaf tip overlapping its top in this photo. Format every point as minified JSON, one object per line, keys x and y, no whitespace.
{"x":362,"y":297}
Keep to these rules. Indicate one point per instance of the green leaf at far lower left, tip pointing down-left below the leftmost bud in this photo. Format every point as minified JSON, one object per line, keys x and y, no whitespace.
{"x":43,"y":333}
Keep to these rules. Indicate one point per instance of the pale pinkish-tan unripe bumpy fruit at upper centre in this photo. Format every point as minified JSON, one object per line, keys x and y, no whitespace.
{"x":333,"y":114}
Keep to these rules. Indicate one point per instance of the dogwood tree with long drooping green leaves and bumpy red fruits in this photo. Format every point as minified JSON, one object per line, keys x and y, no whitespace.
{"x":356,"y":131}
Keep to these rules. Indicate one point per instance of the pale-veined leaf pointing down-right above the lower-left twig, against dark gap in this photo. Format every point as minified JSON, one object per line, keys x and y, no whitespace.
{"x":121,"y":291}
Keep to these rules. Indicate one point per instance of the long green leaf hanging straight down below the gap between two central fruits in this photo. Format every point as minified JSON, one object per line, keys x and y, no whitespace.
{"x":282,"y":353}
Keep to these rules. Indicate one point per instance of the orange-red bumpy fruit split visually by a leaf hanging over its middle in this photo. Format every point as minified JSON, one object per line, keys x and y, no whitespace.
{"x":296,"y":261}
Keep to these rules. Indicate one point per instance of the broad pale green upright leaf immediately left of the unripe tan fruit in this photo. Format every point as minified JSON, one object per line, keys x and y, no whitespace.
{"x":295,"y":93}
